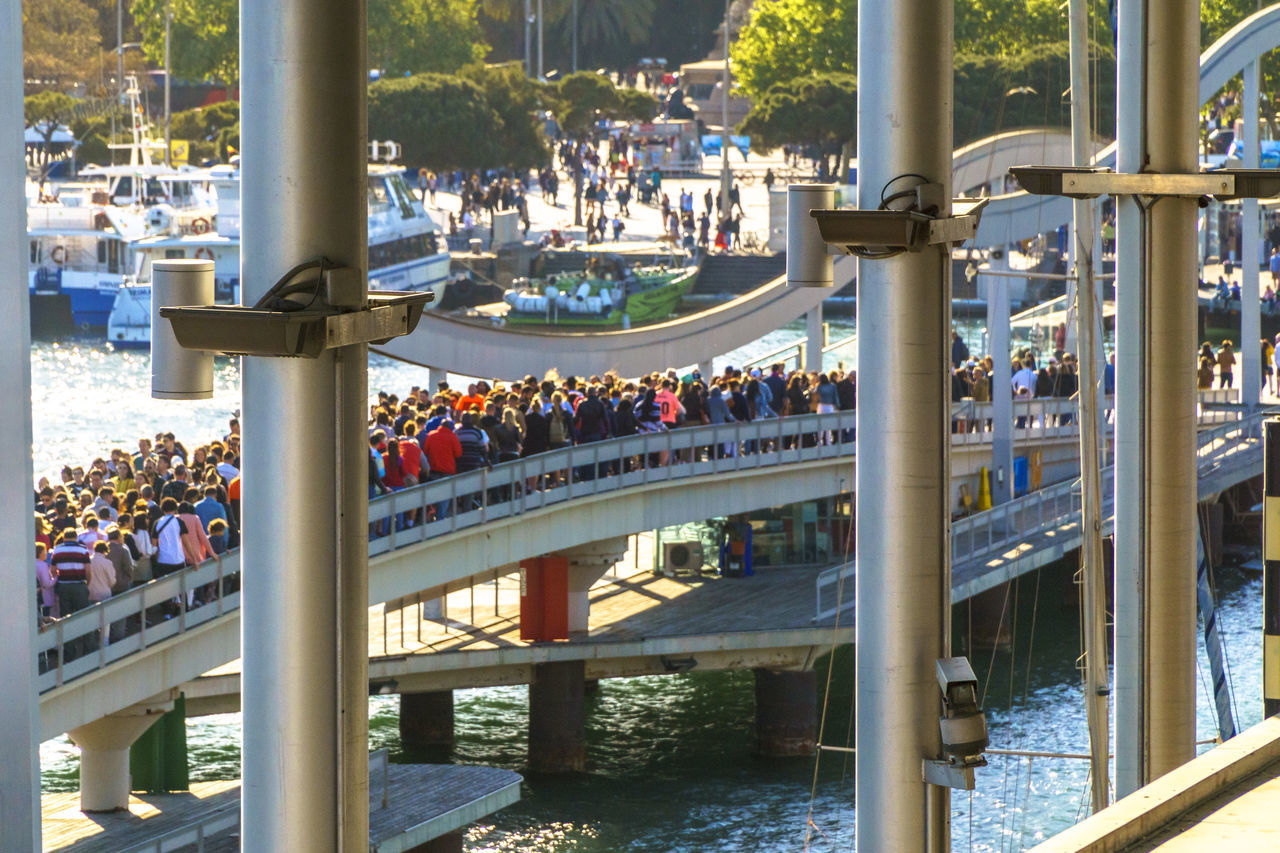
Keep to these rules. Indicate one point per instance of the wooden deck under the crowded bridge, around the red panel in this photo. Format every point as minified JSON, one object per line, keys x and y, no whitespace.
{"x":639,"y":624}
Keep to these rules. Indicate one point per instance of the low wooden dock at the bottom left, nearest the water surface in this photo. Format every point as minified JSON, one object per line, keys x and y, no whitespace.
{"x":423,"y":802}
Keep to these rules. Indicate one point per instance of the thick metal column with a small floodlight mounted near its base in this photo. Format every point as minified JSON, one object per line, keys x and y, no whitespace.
{"x":904,"y":322}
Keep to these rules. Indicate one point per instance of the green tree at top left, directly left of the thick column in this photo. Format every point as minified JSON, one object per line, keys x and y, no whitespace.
{"x":204,"y":38}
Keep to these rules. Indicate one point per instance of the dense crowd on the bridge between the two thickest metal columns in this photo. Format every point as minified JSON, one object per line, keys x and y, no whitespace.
{"x":435,"y":435}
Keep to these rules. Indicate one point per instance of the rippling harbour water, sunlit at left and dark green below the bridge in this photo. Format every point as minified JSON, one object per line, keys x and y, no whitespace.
{"x":671,"y":763}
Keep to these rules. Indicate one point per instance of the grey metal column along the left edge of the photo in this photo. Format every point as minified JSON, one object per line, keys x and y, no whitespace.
{"x":20,"y":709}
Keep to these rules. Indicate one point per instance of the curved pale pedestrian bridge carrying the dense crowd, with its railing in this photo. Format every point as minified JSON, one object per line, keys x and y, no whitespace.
{"x":538,"y":505}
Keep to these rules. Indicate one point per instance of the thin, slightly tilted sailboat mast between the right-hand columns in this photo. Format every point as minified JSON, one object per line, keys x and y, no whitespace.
{"x":1094,"y":601}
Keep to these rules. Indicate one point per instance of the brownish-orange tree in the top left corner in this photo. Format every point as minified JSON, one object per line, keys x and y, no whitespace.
{"x":61,"y":42}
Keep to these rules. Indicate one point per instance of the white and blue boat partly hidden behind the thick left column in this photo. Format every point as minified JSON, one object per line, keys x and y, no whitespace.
{"x":406,"y":250}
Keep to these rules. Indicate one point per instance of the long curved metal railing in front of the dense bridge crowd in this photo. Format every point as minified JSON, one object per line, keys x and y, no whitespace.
{"x":72,"y":647}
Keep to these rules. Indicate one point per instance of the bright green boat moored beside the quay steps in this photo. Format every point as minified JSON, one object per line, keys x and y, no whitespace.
{"x":609,"y":294}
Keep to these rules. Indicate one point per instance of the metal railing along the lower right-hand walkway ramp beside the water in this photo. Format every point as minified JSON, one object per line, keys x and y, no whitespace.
{"x":976,"y":537}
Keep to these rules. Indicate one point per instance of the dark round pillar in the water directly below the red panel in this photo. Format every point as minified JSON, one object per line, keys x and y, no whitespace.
{"x":557,"y":740}
